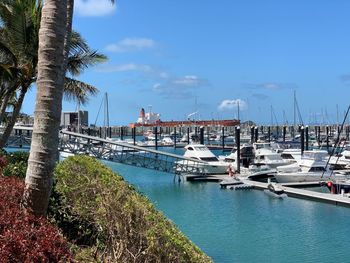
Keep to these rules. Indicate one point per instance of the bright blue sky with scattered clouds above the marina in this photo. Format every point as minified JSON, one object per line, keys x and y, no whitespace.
{"x":198,"y":55}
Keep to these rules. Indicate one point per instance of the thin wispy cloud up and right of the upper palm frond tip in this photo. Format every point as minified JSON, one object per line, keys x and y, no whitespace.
{"x":131,"y":45}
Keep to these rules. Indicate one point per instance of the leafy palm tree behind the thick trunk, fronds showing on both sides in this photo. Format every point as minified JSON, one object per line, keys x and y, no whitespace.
{"x":15,"y":46}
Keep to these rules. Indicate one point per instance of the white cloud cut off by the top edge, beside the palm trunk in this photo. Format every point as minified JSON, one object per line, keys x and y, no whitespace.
{"x":94,"y":7}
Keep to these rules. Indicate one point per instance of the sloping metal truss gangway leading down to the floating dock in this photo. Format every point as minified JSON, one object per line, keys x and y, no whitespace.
{"x":125,"y":153}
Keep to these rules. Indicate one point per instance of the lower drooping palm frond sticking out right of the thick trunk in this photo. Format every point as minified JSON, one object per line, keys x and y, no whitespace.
{"x":75,"y":90}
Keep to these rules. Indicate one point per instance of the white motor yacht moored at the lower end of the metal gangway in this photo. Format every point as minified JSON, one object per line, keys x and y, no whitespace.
{"x":210,"y":163}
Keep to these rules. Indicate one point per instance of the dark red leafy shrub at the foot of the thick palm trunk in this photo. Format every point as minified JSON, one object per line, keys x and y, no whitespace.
{"x":25,"y":238}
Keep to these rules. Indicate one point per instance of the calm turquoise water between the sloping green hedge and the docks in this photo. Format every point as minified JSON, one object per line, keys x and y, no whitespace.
{"x":246,"y":226}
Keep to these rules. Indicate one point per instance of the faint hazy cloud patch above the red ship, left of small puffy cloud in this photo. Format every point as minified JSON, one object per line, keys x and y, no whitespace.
{"x":180,"y":88}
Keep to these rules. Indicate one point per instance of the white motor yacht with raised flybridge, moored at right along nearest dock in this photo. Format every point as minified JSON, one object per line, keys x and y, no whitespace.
{"x":311,"y":167}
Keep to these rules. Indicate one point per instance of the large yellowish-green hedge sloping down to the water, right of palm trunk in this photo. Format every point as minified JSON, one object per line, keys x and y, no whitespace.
{"x":127,"y":226}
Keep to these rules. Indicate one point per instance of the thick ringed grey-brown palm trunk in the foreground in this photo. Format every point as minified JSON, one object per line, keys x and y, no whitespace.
{"x":44,"y":146}
